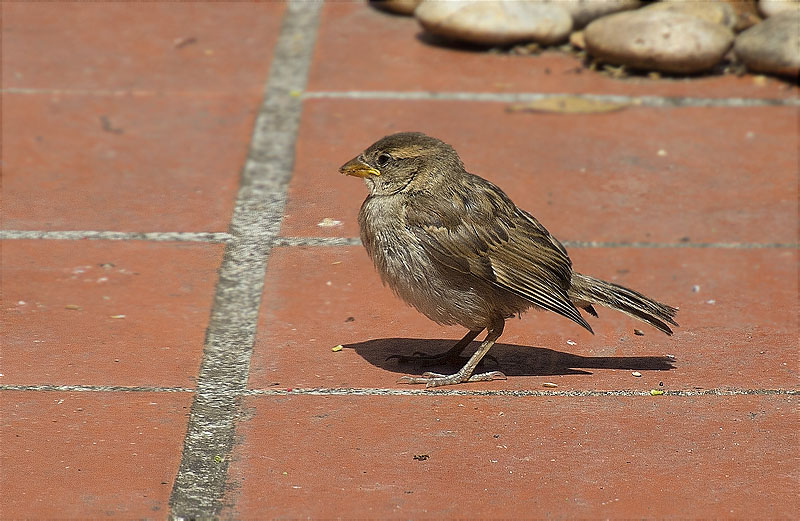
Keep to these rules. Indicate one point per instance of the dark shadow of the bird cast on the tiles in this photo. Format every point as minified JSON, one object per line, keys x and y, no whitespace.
{"x":513,"y":360}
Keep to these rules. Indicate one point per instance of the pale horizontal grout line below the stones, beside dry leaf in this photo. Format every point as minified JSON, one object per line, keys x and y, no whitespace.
{"x":518,"y":97}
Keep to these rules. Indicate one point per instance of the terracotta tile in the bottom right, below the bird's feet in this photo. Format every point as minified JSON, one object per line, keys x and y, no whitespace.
{"x":453,"y":457}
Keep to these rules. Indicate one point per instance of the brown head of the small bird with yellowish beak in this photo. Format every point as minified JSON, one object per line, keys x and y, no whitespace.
{"x":406,"y":161}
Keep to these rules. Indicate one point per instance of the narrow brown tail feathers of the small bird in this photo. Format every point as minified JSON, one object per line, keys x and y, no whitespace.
{"x":586,"y":291}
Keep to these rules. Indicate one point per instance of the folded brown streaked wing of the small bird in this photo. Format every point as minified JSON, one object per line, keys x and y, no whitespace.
{"x":484,"y":234}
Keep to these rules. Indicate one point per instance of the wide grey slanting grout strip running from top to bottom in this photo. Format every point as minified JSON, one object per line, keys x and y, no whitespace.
{"x":201,"y":481}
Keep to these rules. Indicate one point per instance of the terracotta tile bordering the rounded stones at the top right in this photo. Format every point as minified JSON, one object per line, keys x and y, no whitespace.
{"x":361,"y":48}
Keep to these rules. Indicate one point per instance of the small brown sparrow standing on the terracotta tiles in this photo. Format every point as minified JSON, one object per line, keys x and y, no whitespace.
{"x":455,"y":247}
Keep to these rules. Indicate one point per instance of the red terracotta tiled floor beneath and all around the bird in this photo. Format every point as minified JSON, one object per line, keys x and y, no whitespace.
{"x":138,"y":117}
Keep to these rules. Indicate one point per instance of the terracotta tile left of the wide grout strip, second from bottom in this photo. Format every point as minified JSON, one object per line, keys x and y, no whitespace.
{"x":105,"y":313}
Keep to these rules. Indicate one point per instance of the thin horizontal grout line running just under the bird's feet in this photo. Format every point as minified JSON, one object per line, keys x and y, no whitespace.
{"x":361,"y":391}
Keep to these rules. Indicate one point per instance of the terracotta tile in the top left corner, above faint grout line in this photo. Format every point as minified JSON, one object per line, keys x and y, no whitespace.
{"x":190,"y":46}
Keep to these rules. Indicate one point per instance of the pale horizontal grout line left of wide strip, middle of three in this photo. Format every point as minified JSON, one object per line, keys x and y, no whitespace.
{"x":71,"y":235}
